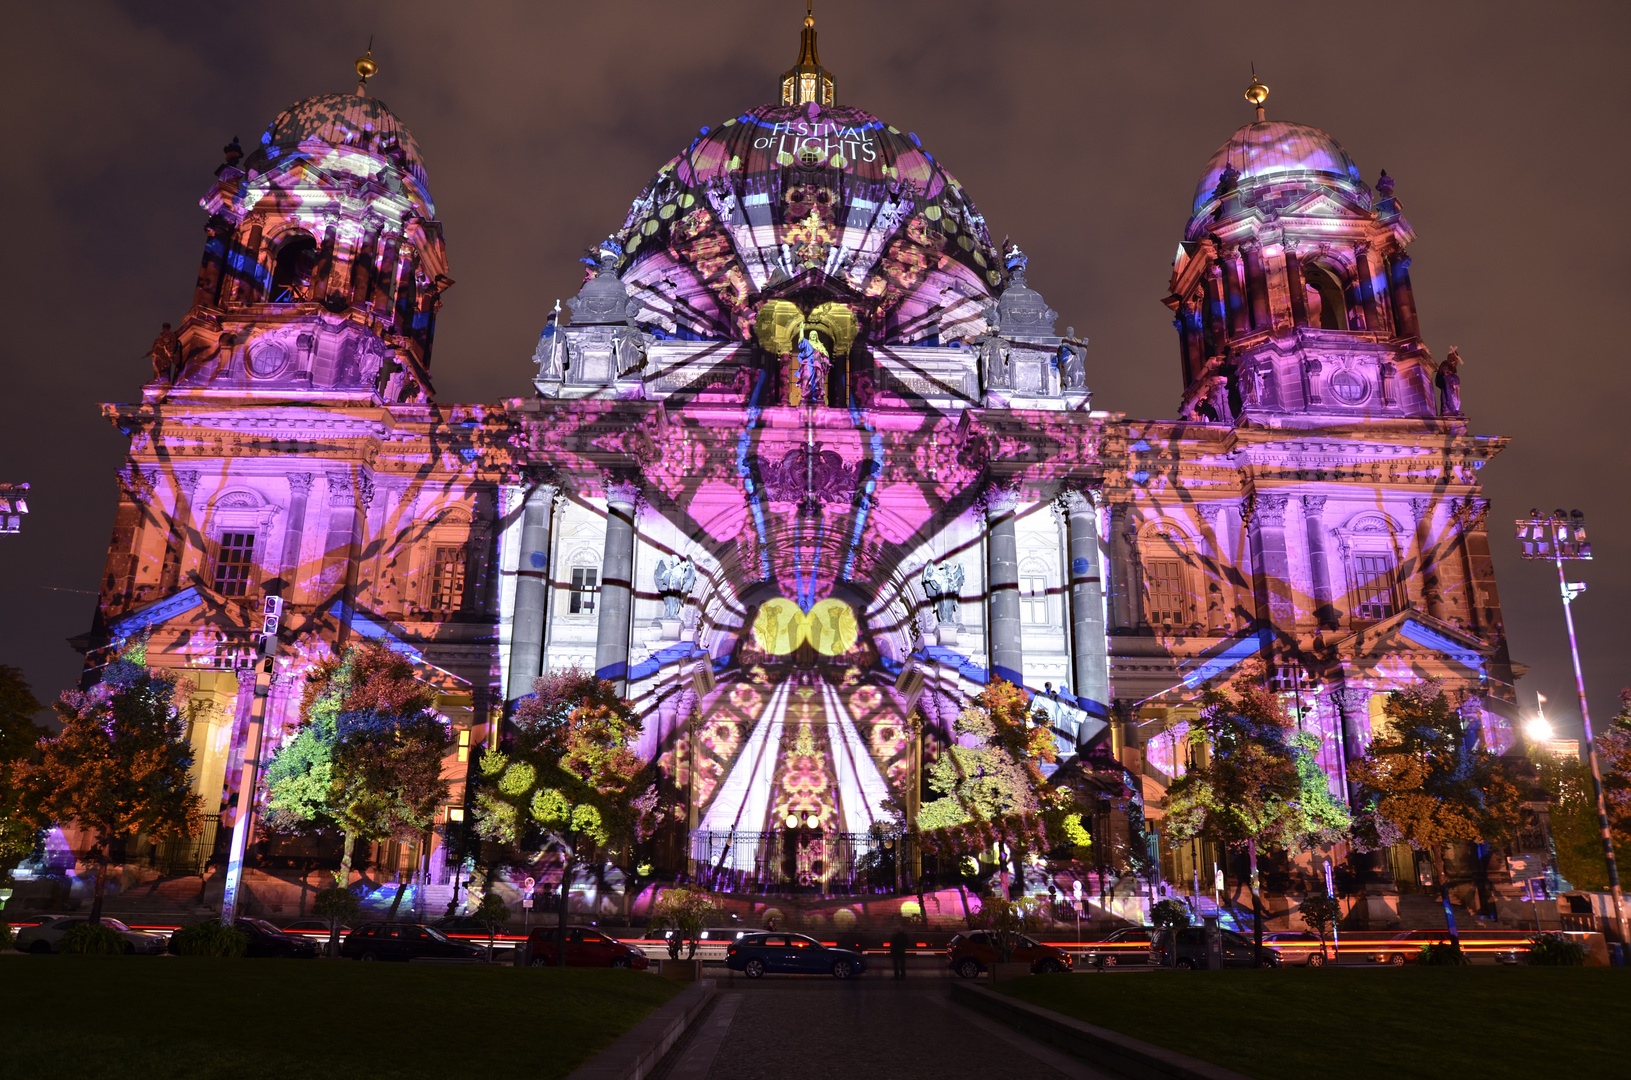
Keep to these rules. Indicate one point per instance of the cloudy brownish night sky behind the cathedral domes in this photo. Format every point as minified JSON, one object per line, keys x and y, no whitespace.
{"x":1081,"y":130}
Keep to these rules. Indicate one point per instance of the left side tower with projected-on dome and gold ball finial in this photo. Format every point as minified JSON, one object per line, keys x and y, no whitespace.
{"x":324,"y":262}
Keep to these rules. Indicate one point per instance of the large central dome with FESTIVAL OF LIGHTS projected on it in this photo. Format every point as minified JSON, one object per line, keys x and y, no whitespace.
{"x":828,"y":197}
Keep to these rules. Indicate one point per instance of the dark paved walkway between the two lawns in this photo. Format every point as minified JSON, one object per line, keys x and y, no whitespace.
{"x":818,"y":1029}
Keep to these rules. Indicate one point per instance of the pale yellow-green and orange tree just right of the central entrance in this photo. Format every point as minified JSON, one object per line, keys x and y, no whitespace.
{"x":991,"y":786}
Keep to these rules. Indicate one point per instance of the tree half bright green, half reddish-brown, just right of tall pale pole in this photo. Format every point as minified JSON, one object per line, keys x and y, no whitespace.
{"x":368,"y":756}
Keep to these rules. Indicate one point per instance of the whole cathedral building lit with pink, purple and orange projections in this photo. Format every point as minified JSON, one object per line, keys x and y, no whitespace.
{"x":803,"y":467}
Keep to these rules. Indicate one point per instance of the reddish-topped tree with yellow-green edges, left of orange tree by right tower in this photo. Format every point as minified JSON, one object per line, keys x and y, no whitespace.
{"x":1257,"y":782}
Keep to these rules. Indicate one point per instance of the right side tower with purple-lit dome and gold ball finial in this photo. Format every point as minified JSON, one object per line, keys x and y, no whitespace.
{"x":1293,"y":286}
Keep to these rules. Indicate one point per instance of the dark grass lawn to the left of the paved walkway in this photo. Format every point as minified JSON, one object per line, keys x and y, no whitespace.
{"x":91,"y":1017}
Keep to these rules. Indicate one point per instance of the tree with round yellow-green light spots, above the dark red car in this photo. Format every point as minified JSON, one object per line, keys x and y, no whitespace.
{"x":567,"y":777}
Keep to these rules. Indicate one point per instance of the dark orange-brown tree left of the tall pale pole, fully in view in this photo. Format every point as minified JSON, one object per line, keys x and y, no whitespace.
{"x":120,"y":766}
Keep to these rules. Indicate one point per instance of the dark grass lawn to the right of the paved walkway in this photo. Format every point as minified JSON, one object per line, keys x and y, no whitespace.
{"x":1330,"y":1024}
